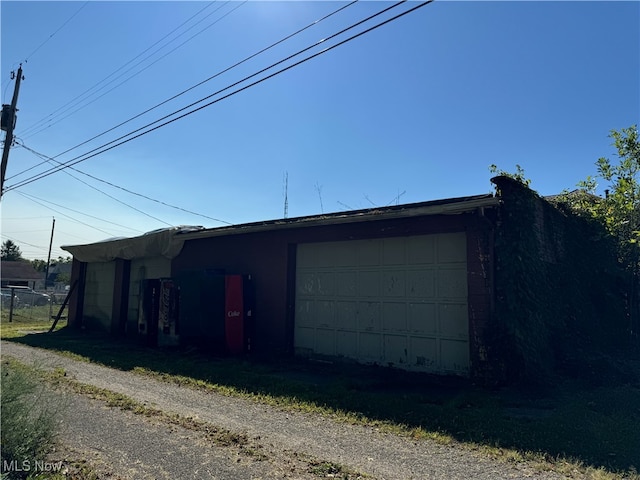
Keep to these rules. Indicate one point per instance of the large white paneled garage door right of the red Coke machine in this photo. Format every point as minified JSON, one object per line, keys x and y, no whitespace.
{"x":398,"y":301}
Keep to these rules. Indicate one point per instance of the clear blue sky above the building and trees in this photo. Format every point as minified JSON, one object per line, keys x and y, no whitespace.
{"x":415,"y":110}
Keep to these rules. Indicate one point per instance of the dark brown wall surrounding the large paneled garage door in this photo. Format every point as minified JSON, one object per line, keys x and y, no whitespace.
{"x":270,"y":258}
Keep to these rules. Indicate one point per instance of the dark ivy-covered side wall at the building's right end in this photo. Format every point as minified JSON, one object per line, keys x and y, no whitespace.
{"x":559,"y":290}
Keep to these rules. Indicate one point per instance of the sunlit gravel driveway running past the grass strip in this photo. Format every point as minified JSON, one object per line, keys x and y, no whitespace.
{"x":289,"y":443}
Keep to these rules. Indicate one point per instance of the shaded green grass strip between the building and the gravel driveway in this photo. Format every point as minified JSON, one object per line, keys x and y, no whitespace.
{"x":593,"y":428}
